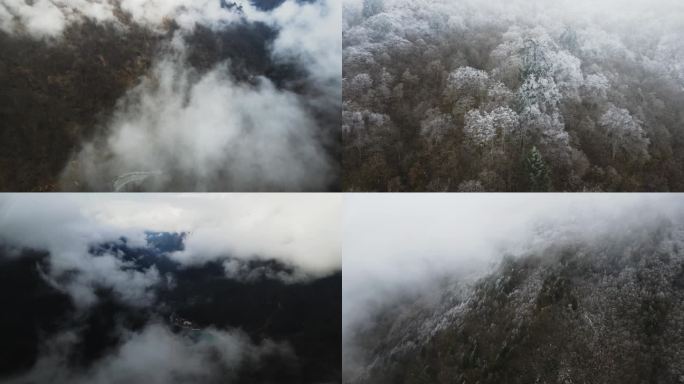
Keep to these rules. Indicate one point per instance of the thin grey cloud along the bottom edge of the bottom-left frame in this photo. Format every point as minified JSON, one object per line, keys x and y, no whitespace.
{"x":156,"y":355}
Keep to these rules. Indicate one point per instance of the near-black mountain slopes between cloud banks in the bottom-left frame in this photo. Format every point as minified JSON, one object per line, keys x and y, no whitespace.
{"x":302,"y":313}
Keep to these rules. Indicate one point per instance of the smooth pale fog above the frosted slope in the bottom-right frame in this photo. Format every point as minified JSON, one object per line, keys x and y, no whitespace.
{"x":399,"y":246}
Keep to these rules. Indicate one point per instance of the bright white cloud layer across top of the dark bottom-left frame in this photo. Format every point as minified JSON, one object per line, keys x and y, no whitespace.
{"x":299,"y":231}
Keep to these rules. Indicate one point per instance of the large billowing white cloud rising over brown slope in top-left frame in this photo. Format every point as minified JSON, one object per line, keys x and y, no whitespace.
{"x":209,"y":133}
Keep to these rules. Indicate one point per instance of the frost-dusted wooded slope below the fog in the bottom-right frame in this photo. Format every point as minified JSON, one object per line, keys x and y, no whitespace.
{"x":602,"y":310}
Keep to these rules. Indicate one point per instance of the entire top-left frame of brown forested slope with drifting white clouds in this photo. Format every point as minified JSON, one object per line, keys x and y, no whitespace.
{"x":188,"y":95}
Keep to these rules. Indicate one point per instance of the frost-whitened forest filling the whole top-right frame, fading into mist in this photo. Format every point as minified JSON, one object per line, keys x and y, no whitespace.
{"x":521,"y":95}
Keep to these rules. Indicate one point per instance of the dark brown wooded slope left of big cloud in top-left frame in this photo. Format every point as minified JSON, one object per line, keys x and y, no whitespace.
{"x":53,"y":94}
